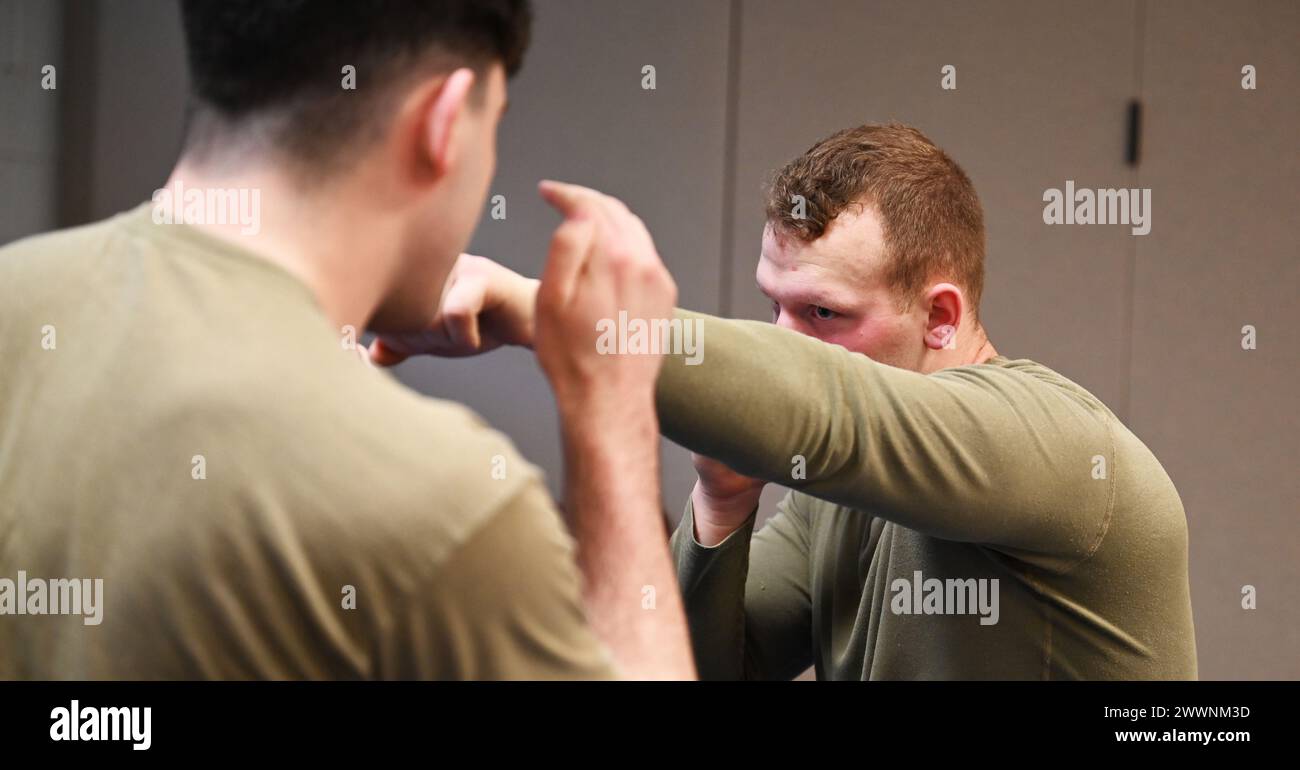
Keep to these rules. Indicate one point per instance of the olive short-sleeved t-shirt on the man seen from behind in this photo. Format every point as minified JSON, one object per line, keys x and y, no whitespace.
{"x":180,"y":421}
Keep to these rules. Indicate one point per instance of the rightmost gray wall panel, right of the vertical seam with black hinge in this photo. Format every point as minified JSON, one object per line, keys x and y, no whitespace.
{"x":1223,"y":165}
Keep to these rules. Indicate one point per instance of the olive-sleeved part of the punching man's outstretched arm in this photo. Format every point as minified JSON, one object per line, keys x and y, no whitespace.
{"x":980,"y":455}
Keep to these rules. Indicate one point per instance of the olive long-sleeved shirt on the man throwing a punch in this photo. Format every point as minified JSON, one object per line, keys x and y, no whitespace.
{"x":983,"y":522}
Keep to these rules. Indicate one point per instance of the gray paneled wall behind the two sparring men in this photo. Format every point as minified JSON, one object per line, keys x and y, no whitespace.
{"x":1151,"y":325}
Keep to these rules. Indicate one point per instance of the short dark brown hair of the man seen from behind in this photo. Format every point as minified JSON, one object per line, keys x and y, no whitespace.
{"x":255,"y":58}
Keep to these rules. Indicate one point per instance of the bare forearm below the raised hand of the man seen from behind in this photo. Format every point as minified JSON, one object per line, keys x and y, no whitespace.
{"x":613,"y":494}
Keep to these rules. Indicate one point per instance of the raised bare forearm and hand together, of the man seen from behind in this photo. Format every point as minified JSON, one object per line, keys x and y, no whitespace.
{"x":603,"y":262}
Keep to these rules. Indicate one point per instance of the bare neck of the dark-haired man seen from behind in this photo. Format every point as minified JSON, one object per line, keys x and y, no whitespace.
{"x":318,"y":239}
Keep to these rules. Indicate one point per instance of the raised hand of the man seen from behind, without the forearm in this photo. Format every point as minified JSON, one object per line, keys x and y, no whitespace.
{"x":603,"y":262}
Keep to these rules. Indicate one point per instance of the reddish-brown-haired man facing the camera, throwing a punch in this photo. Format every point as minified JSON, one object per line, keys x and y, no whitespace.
{"x":956,"y":514}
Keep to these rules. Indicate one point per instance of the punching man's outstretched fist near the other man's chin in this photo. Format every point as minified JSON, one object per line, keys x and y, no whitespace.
{"x":484,"y":306}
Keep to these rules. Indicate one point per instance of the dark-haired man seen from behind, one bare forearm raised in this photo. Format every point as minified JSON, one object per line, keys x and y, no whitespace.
{"x":187,"y":422}
